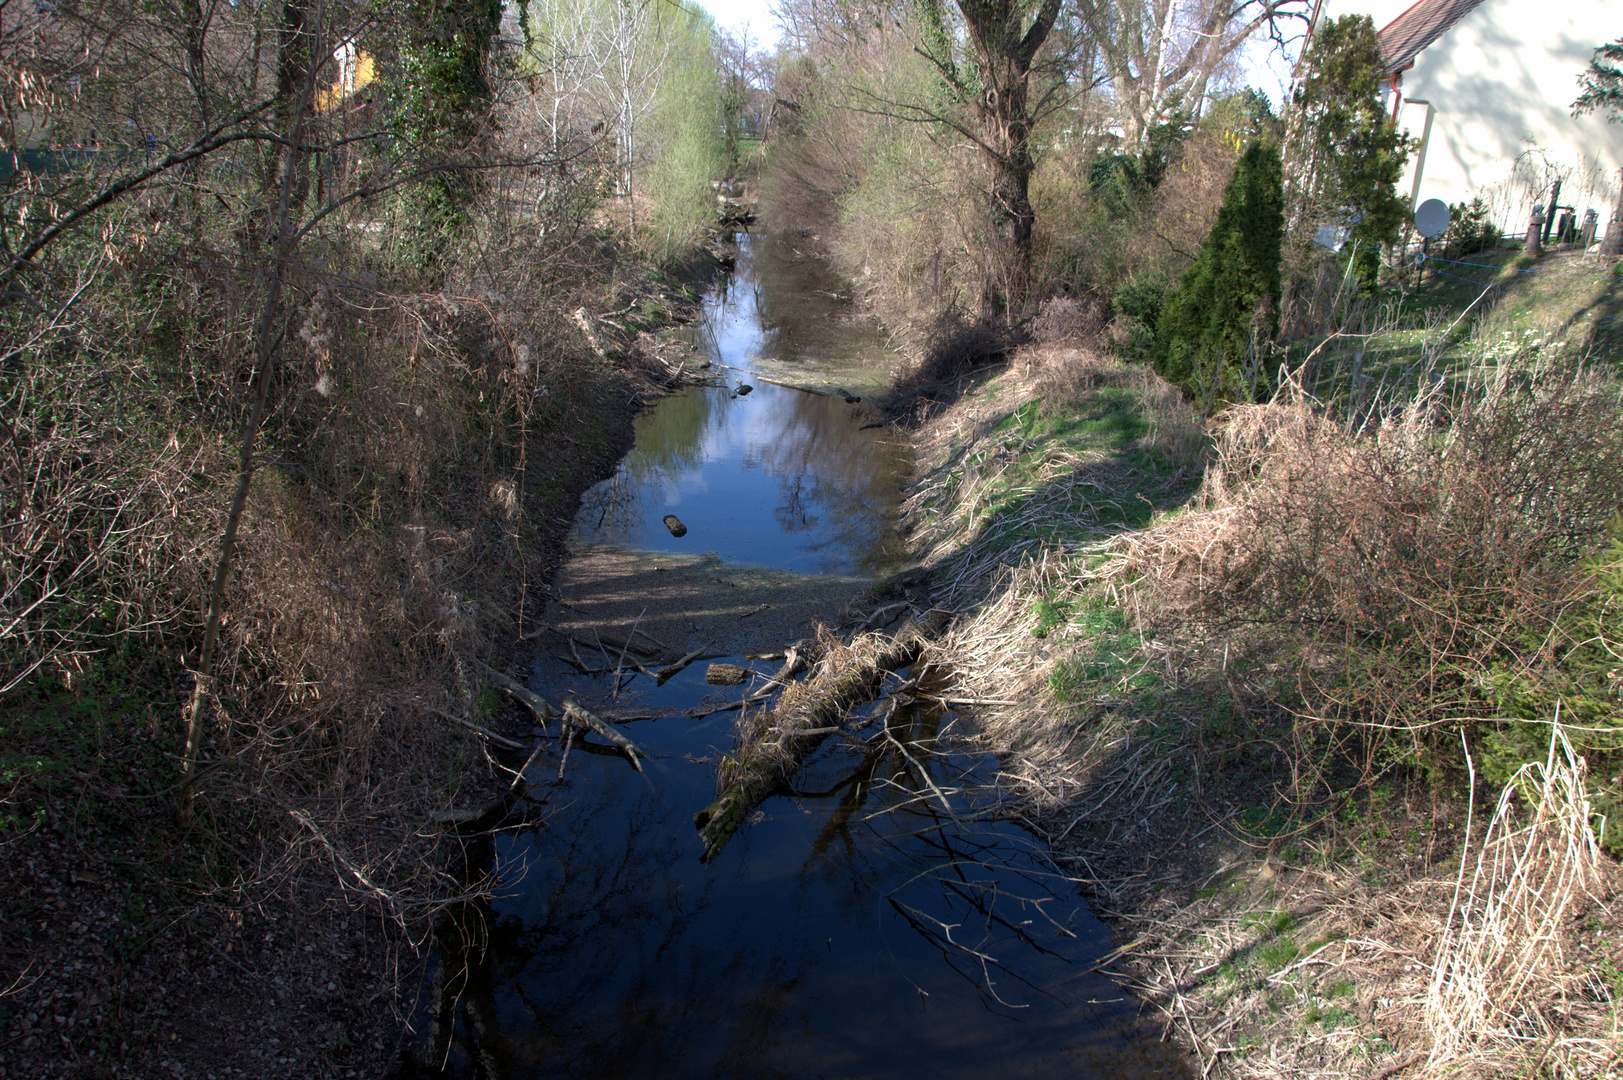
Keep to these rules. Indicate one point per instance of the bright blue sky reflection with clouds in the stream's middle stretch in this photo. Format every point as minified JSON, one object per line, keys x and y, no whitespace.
{"x":777,"y":477}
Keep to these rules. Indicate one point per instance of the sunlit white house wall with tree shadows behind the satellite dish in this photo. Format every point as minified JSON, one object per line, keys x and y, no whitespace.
{"x":1502,"y":82}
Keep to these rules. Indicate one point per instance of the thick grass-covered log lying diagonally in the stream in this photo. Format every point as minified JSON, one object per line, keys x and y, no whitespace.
{"x":777,"y":741}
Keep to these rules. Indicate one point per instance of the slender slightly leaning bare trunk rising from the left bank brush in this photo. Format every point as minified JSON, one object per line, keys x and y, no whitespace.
{"x":265,"y":369}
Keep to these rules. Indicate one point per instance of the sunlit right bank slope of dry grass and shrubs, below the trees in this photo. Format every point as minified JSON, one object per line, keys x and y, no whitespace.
{"x":1275,"y":681}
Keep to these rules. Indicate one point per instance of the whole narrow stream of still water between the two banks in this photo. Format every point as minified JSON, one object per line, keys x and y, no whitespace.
{"x":880,"y":920}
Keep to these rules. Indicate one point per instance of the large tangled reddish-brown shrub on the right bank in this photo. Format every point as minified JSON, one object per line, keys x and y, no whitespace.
{"x":1401,"y":568}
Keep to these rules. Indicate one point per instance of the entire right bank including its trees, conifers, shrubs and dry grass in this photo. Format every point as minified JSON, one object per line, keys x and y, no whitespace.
{"x":1299,"y":564}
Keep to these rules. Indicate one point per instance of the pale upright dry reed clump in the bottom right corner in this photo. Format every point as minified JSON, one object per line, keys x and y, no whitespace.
{"x":1499,"y":957}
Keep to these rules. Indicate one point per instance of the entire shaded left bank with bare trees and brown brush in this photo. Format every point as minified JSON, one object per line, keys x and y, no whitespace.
{"x":308,"y":356}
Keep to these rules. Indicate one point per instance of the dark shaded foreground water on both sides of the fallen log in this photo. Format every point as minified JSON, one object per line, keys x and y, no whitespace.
{"x":874,"y":925}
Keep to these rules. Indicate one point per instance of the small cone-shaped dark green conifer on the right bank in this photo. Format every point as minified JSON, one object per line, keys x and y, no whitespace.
{"x":1226,"y":309}
